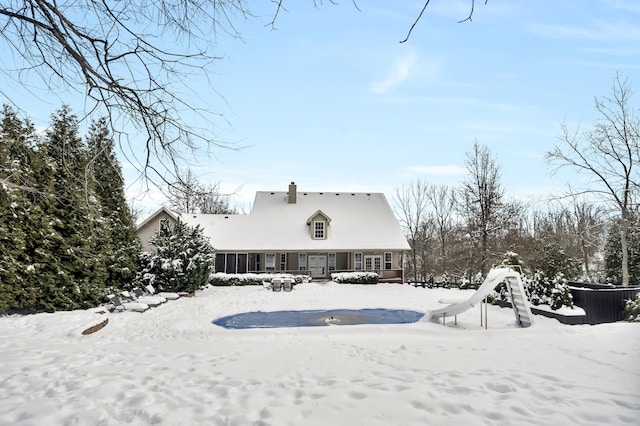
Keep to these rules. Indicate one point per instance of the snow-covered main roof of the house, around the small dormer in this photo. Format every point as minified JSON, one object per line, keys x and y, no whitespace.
{"x":358,"y":221}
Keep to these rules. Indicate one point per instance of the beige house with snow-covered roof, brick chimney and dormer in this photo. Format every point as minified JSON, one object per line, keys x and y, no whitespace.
{"x":301,"y":232}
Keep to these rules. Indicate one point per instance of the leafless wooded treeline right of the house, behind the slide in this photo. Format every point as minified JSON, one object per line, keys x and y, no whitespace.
{"x":462,"y":231}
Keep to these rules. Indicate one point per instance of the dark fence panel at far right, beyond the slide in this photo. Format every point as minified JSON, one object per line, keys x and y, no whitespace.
{"x":602,"y":303}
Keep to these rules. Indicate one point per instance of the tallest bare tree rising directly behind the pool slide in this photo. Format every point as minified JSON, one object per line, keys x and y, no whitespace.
{"x":481,"y":199}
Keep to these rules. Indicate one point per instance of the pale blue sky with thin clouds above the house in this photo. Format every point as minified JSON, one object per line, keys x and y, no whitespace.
{"x":331,"y":100}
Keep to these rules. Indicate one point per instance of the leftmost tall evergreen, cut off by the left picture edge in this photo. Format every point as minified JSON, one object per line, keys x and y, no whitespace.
{"x":27,"y":265}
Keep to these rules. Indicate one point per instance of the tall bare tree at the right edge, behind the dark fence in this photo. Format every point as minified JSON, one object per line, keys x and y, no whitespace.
{"x":609,"y":154}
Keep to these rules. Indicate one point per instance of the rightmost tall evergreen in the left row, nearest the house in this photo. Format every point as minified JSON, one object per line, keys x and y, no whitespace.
{"x":118,"y":240}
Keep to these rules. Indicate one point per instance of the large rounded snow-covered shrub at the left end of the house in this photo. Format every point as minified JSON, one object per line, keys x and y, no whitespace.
{"x":182,"y":262}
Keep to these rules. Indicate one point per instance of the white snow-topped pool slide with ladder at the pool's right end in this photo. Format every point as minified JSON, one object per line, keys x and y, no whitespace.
{"x":495,"y":276}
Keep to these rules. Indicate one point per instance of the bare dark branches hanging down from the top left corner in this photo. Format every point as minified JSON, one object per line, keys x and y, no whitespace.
{"x":111,"y":52}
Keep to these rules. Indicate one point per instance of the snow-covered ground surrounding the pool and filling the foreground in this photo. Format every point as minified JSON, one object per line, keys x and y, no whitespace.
{"x":172,"y":366}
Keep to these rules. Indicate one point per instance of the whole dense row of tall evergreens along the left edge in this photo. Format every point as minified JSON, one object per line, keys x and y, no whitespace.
{"x":65,"y":230}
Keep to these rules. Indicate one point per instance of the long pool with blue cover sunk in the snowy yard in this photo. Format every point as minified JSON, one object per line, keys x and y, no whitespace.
{"x":315,"y":318}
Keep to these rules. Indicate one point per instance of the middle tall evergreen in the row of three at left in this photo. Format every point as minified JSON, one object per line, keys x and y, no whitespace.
{"x":74,"y":213}
